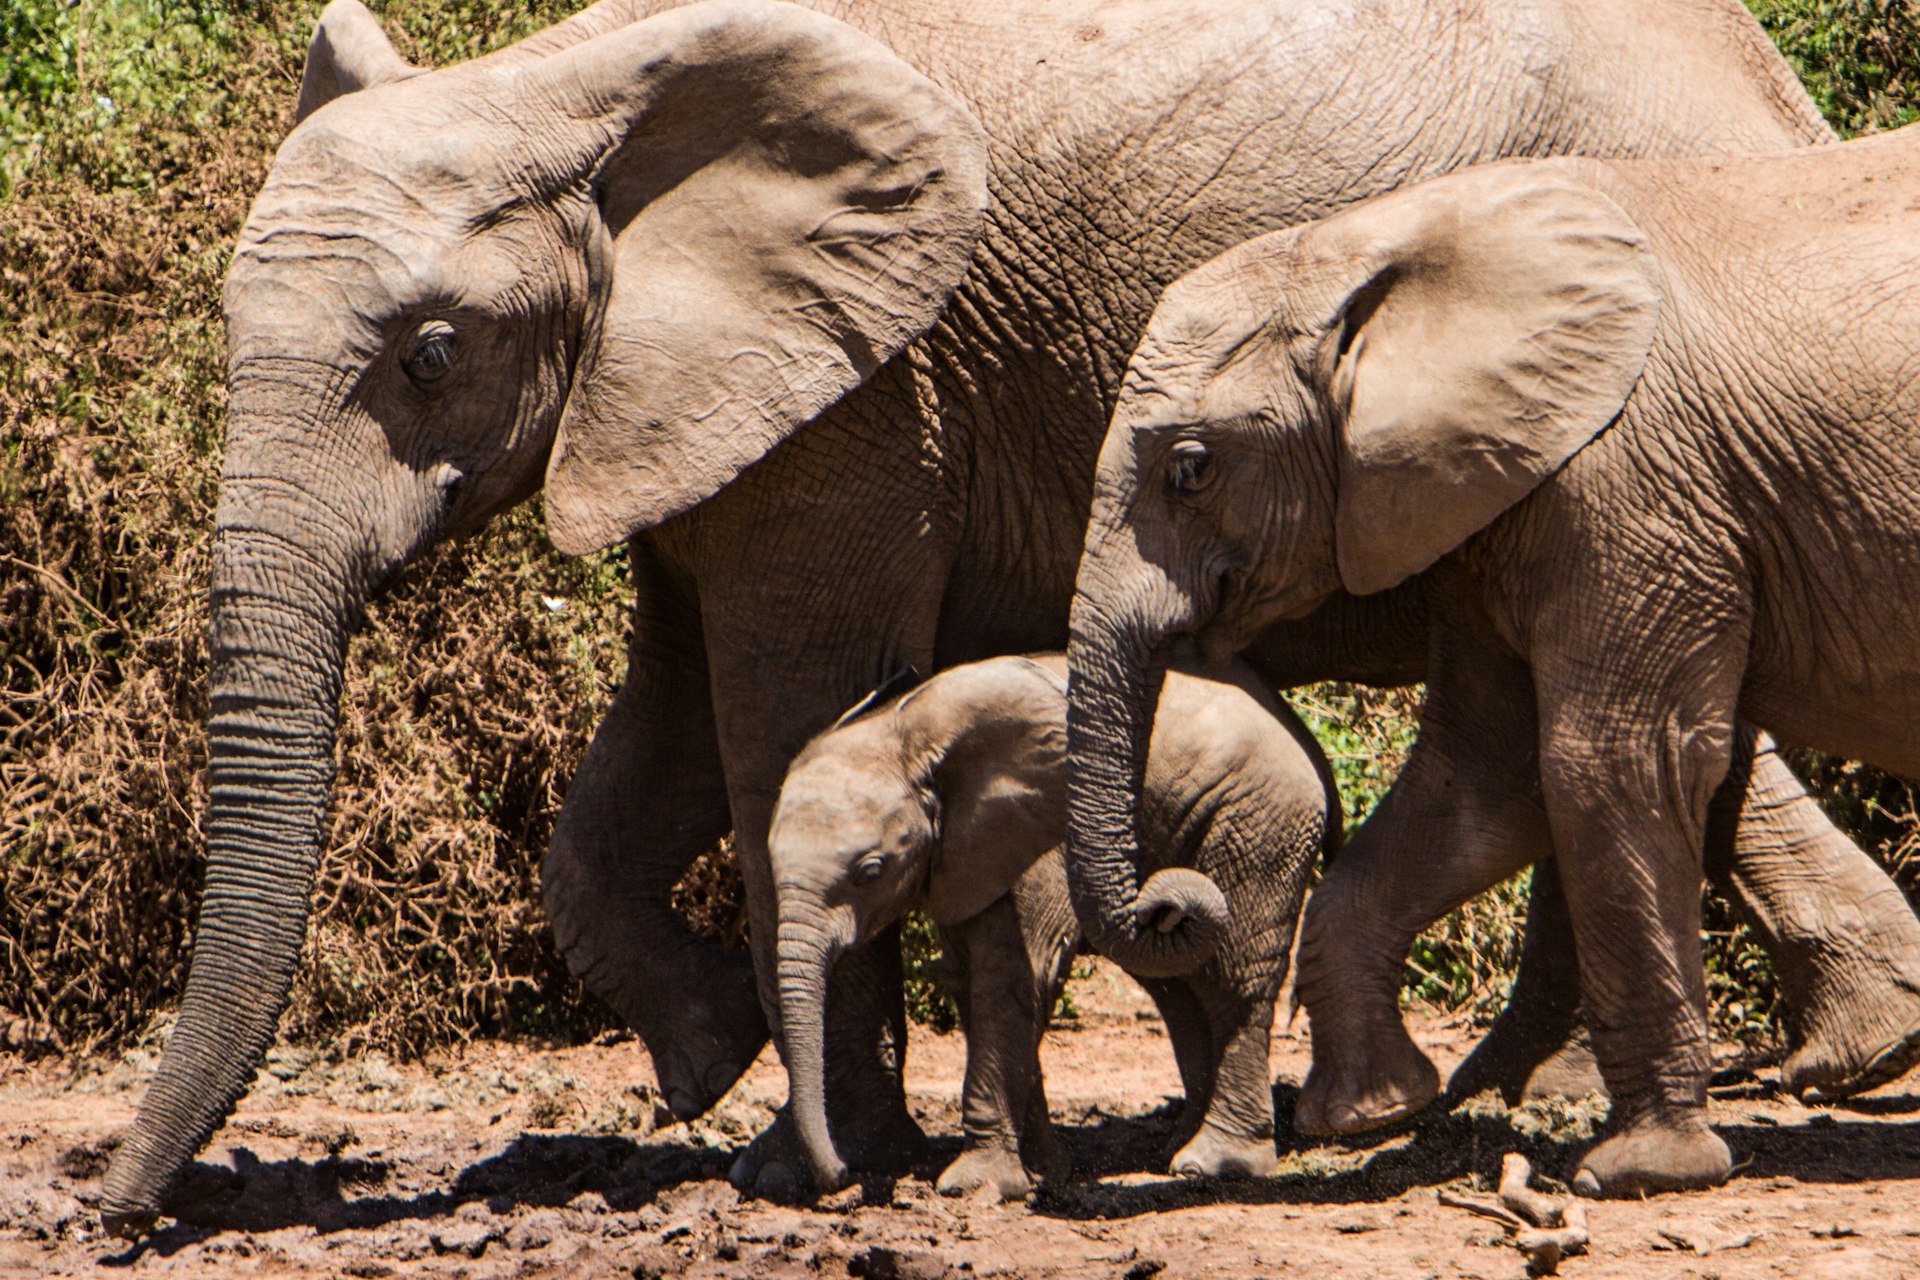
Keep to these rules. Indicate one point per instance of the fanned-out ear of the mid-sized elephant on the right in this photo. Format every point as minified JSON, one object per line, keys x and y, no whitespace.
{"x":1477,"y":333}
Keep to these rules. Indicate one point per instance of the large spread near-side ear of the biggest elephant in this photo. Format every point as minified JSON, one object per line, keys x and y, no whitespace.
{"x":790,"y":204}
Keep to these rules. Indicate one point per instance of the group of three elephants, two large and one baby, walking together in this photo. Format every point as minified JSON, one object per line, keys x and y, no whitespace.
{"x":1552,"y":354}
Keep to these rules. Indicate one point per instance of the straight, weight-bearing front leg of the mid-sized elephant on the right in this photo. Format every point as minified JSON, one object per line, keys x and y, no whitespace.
{"x":1637,"y":736}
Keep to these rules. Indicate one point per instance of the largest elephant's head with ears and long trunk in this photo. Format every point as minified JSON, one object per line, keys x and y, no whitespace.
{"x":621,"y":260}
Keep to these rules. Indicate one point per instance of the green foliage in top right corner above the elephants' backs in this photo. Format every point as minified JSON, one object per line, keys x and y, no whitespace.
{"x":1860,"y":59}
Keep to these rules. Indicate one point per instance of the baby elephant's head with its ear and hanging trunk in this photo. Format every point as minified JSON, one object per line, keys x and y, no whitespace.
{"x":953,"y":792}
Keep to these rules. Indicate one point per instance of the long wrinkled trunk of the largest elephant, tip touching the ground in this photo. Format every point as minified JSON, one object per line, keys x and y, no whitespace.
{"x":289,"y":573}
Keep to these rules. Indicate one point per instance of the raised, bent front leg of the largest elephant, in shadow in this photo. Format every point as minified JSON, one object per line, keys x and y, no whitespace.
{"x":650,"y":797}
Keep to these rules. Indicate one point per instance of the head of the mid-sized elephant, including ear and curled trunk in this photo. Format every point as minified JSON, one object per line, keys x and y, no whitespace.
{"x":1332,"y":408}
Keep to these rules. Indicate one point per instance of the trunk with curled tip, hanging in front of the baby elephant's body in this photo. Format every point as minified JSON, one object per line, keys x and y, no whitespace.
{"x":1116,"y":661}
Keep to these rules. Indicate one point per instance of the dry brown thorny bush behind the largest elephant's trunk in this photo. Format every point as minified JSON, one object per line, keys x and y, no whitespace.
{"x":469,"y":696}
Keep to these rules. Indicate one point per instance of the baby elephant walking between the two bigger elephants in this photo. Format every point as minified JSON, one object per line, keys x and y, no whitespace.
{"x":957,"y":794}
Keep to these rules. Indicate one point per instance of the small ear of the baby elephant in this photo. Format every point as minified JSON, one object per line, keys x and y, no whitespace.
{"x":997,"y":734}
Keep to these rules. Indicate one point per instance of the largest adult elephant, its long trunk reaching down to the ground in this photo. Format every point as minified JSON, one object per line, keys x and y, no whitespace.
{"x":627,"y":258}
